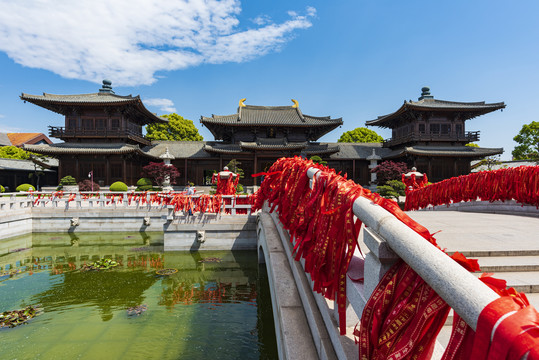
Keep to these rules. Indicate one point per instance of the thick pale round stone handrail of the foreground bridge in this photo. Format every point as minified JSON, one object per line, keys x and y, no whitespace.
{"x":385,"y":234}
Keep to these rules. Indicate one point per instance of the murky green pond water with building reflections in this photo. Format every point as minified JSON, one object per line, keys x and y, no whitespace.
{"x":217,"y":306}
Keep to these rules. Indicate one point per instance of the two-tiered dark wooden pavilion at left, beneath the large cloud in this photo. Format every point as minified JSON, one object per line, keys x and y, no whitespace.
{"x":102,"y":134}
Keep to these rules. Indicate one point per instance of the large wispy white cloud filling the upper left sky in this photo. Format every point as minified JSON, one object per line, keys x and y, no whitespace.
{"x":128,"y":41}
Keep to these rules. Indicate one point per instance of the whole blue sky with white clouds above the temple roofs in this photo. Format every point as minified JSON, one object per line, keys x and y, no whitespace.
{"x":351,"y":59}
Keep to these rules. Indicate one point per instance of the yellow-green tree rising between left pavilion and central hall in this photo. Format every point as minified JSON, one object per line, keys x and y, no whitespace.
{"x":177,"y":128}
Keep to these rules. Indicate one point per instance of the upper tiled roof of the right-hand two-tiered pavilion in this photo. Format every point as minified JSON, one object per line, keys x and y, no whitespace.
{"x":470,"y":109}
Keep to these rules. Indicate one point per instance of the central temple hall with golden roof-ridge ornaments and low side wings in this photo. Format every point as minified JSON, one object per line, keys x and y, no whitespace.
{"x":256,"y":136}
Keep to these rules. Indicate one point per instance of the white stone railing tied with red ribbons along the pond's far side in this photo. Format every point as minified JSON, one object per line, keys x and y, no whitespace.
{"x":89,"y":200}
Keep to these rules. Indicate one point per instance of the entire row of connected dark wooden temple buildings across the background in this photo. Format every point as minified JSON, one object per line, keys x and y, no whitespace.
{"x":102,"y":133}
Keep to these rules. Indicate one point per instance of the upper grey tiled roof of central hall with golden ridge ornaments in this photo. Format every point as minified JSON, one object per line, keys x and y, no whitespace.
{"x":270,"y":116}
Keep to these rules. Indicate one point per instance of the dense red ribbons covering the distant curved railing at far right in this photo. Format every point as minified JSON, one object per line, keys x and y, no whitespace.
{"x":520,"y":183}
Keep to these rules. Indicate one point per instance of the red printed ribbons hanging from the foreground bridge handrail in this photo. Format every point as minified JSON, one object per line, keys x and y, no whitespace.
{"x":404,"y":315}
